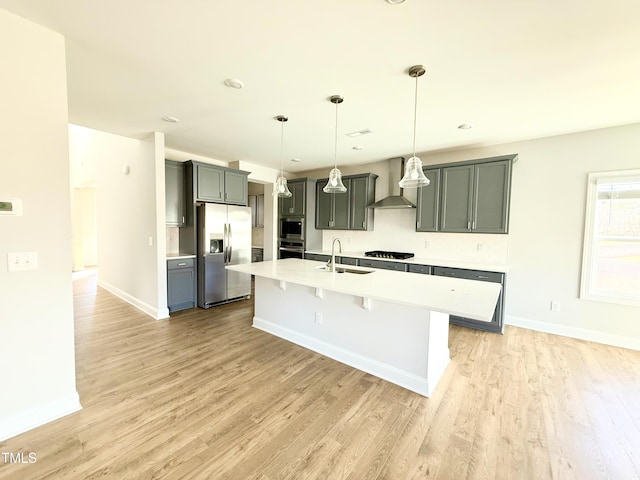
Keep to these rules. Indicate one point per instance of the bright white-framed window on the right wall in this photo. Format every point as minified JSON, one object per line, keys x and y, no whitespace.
{"x":611,"y":256}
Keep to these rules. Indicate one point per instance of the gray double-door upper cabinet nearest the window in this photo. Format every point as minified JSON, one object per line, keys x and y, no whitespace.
{"x":475,"y":197}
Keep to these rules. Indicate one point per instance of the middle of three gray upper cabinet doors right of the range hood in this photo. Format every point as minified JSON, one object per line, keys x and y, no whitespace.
{"x":457,"y":189}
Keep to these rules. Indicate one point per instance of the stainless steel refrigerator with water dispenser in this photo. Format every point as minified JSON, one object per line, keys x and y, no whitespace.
{"x":224,"y":238}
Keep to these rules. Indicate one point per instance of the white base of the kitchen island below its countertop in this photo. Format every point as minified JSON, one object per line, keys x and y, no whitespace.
{"x":402,"y":344}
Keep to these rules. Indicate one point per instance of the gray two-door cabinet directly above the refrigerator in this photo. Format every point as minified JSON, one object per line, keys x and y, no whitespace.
{"x":220,"y":185}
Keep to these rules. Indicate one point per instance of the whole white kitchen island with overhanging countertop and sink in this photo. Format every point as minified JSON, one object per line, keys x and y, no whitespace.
{"x":393,"y":325}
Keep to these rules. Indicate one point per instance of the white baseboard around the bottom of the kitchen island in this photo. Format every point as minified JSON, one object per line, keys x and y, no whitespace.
{"x":386,"y":372}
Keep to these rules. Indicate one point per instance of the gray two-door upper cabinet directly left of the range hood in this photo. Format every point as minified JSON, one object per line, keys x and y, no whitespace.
{"x":346,"y":211}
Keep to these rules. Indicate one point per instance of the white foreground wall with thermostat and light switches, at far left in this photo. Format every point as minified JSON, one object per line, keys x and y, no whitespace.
{"x":37,"y":358}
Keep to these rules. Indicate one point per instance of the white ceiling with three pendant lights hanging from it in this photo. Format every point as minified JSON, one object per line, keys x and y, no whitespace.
{"x":514,"y":69}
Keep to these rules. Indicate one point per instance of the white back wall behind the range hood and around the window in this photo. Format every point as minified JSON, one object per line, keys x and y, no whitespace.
{"x":544,"y":244}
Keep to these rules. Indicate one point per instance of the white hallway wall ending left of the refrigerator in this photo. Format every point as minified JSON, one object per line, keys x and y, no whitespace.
{"x":130,"y":214}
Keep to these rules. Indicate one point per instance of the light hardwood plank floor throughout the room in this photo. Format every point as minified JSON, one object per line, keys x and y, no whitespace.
{"x":205,"y":396}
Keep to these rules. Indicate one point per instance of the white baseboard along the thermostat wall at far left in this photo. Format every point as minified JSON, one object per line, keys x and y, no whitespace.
{"x":35,"y":417}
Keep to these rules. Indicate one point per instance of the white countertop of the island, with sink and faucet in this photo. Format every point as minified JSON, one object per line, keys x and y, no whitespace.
{"x":455,"y":296}
